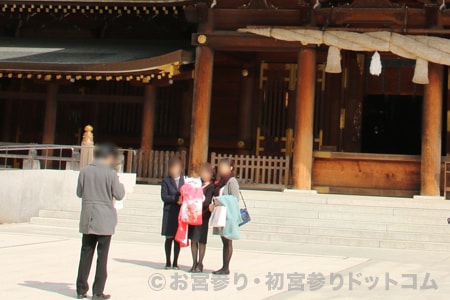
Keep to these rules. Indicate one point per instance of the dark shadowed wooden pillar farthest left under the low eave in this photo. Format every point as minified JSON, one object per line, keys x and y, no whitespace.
{"x":51,"y":107}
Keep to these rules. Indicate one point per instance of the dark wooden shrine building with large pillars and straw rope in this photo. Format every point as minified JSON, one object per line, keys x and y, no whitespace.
{"x":348,"y":96}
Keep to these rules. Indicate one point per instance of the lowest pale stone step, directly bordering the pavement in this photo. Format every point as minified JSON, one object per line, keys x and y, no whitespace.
{"x":331,"y":236}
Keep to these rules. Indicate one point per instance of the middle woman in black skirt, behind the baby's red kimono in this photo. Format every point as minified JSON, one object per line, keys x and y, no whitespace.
{"x":199,"y":234}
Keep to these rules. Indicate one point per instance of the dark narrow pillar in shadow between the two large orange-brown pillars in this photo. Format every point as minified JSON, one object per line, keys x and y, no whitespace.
{"x":245,"y":111}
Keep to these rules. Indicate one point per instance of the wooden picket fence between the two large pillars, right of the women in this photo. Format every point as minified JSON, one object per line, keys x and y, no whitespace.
{"x":258,"y":172}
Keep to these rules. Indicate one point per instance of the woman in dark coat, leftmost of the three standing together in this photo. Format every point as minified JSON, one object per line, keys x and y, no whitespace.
{"x":170,"y":195}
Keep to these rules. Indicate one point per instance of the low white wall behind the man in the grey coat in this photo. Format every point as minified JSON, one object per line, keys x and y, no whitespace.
{"x":24,"y":192}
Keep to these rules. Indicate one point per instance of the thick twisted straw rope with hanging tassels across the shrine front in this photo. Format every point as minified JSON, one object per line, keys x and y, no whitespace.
{"x":423,"y":49}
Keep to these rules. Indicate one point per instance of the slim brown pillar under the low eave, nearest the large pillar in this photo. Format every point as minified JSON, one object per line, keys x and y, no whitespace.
{"x":148,"y":116}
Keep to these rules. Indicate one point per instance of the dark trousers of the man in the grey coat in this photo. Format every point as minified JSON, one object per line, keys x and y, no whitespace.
{"x":90,"y":241}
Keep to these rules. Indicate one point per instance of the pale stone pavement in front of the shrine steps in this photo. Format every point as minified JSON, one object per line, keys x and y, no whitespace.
{"x":39,"y":264}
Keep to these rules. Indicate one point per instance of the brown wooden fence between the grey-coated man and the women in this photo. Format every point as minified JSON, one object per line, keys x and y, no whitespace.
{"x":151,"y":166}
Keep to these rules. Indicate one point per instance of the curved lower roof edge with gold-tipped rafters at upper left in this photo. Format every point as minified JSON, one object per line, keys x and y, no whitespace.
{"x":159,"y":63}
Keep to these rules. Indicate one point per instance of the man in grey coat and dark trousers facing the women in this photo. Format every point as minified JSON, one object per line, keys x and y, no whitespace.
{"x":98,"y":184}
